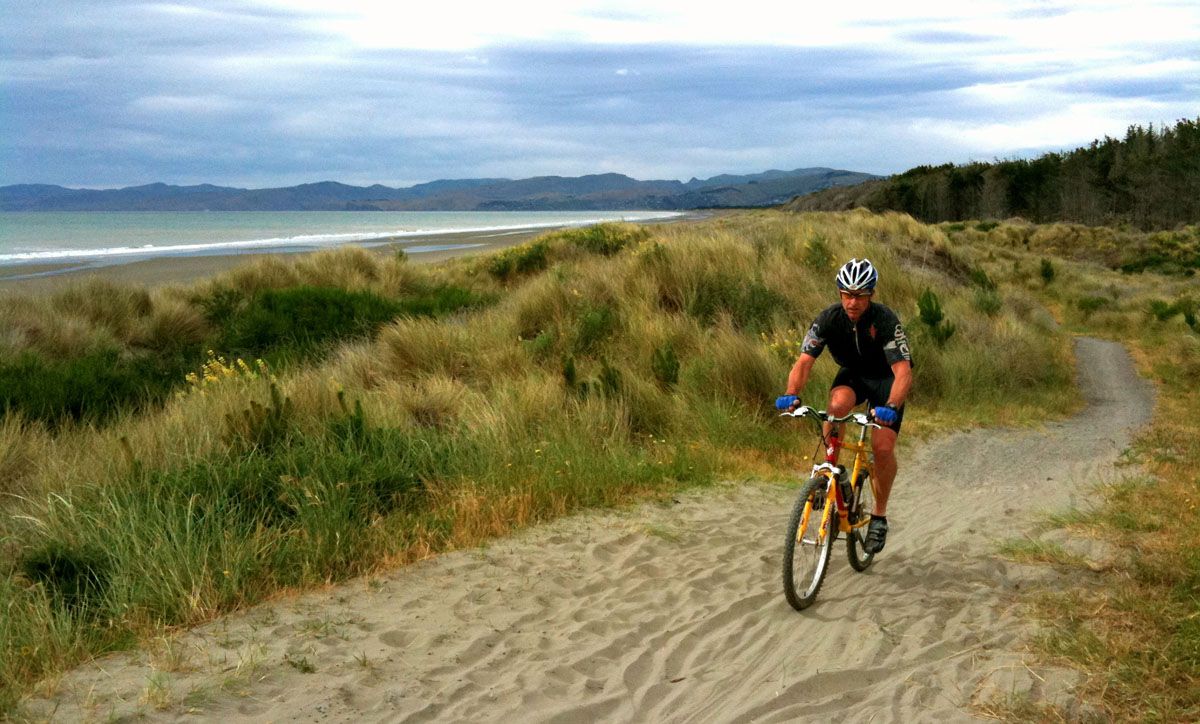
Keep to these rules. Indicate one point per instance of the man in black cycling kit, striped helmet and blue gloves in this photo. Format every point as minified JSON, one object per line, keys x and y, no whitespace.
{"x":877,"y":366}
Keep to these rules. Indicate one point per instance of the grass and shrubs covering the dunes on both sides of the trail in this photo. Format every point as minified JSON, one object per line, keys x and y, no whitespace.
{"x":587,"y":368}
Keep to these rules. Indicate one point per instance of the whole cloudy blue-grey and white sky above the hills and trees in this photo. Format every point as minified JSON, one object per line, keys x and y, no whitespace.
{"x":273,"y":93}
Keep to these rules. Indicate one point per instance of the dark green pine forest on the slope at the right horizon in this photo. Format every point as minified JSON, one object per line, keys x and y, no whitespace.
{"x":1149,"y":181}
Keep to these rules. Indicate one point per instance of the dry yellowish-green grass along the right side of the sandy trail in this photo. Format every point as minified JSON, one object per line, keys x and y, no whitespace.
{"x":1135,"y":630}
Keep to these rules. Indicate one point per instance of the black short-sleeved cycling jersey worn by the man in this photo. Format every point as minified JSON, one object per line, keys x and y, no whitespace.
{"x":868,"y":349}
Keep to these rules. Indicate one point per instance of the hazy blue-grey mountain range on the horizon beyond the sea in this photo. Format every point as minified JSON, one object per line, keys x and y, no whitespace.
{"x":591,"y":193}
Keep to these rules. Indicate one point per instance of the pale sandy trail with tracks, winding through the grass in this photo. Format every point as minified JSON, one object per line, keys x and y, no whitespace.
{"x":669,"y":613}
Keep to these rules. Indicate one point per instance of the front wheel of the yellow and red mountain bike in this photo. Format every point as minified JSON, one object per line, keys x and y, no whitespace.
{"x":807,"y":548}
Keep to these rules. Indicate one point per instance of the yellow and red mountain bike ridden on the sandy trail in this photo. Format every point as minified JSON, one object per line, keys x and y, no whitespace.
{"x":832,"y":501}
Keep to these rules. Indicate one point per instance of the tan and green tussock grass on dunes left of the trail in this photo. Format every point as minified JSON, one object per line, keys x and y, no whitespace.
{"x":616,"y":364}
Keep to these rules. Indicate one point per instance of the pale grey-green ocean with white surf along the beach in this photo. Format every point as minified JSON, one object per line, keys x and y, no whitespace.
{"x":117,"y":237}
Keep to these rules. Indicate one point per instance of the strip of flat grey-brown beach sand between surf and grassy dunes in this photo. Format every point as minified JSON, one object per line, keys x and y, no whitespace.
{"x":423,"y":249}
